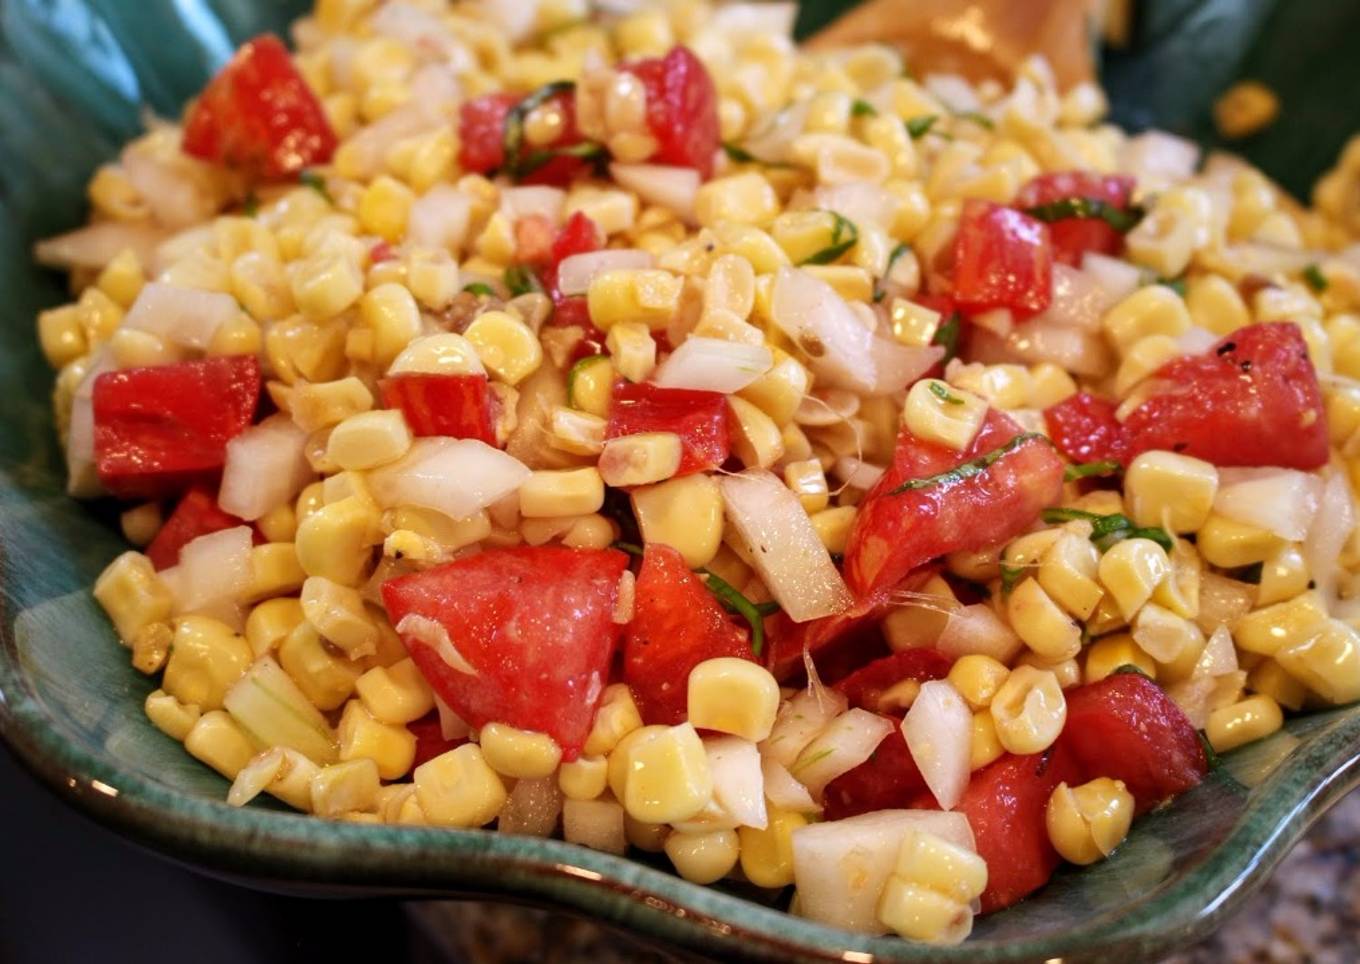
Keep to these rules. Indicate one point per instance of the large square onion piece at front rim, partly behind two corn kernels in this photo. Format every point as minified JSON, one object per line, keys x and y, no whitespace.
{"x":841,"y":867}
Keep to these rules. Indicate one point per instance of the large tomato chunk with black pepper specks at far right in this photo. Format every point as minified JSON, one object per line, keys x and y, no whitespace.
{"x":1251,"y":400}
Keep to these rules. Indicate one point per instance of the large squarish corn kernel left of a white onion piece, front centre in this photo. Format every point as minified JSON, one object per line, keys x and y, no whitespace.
{"x":668,"y":777}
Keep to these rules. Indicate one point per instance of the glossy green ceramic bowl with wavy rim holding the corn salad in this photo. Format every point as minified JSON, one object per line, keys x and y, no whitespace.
{"x":73,"y":77}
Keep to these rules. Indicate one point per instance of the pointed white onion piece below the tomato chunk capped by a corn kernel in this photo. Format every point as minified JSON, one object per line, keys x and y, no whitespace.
{"x":452,"y":477}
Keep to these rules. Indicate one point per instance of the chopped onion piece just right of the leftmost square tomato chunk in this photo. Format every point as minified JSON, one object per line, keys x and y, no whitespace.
{"x":266,"y":467}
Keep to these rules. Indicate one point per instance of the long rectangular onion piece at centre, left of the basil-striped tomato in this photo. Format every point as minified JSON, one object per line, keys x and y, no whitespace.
{"x":787,"y":551}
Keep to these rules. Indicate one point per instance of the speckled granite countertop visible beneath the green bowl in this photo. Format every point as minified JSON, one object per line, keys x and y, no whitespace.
{"x":1309,"y":913}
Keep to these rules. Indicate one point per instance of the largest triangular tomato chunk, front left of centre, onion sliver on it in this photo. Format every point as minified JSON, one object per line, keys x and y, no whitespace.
{"x":535,"y":625}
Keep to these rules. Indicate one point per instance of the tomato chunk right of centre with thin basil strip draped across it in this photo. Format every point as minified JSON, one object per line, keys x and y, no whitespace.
{"x":894,"y":535}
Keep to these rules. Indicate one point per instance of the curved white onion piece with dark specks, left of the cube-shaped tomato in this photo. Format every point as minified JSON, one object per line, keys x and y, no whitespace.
{"x":841,"y":351}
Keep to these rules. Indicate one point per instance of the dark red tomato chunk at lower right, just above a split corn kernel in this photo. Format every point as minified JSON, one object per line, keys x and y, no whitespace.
{"x":1128,"y":729}
